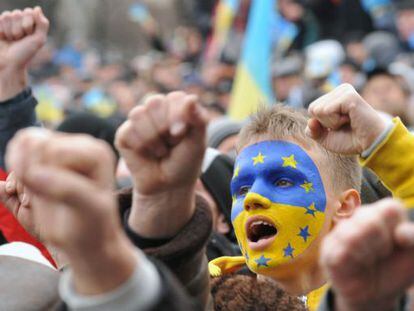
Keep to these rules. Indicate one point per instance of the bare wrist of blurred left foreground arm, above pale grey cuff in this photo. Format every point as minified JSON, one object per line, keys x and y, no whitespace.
{"x":104,"y":267}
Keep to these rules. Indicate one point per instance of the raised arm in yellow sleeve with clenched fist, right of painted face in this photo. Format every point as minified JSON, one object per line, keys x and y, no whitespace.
{"x":343,"y":122}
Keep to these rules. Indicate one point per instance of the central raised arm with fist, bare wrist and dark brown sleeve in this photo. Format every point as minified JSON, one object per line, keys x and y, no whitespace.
{"x":163,"y":143}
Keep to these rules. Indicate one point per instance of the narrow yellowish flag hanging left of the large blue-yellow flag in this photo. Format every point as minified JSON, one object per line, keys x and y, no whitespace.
{"x":225,"y":13}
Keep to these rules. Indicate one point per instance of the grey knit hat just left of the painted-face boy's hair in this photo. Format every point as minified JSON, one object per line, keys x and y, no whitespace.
{"x":218,"y":130}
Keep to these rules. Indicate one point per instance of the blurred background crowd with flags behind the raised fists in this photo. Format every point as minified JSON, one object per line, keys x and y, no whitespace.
{"x":105,"y":56}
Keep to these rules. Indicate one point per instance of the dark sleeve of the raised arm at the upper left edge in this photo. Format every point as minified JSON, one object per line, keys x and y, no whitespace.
{"x":15,"y":114}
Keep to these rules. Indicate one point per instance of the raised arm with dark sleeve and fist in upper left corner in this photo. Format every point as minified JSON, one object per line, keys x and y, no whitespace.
{"x":22,"y":35}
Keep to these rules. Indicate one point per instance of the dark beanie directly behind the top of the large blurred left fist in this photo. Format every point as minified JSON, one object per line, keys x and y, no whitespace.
{"x":87,"y":123}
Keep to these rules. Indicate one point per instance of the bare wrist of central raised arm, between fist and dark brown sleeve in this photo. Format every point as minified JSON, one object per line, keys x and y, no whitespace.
{"x":161,"y":215}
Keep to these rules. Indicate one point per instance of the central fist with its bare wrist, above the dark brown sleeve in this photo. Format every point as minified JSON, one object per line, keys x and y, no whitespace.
{"x":163,"y":143}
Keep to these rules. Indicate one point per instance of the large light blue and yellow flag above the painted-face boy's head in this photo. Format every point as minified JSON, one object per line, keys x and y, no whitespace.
{"x":252,"y":84}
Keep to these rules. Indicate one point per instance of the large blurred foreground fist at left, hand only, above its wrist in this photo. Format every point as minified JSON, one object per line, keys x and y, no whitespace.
{"x":70,"y":187}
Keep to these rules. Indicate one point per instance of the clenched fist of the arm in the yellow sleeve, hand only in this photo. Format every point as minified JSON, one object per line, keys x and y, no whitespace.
{"x":343,"y":122}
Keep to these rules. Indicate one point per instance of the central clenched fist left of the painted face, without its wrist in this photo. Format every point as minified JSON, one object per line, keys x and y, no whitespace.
{"x":163,"y":142}
